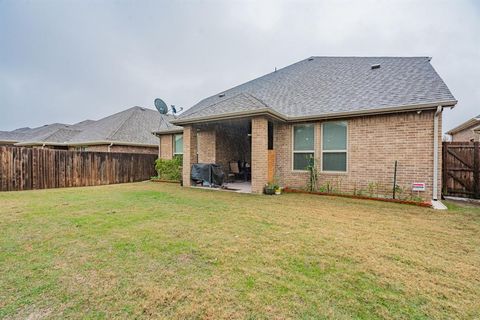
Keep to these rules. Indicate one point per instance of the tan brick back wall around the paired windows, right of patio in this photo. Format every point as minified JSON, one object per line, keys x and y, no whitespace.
{"x":374,"y":143}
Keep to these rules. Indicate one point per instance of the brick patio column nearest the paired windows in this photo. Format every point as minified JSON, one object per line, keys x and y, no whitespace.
{"x":259,"y":153}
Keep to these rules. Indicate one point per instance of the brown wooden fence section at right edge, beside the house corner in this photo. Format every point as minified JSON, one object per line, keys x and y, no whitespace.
{"x":461,"y":169}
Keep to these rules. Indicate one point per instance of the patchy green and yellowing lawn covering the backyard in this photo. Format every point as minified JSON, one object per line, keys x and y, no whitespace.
{"x":152,"y":250}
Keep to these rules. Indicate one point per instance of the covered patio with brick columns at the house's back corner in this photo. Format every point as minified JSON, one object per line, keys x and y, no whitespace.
{"x":242,"y":148}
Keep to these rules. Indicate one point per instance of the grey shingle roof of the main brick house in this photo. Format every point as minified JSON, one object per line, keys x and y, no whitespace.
{"x":328,"y":86}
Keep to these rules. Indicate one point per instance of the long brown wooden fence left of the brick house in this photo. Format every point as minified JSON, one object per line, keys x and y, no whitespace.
{"x":33,"y":168}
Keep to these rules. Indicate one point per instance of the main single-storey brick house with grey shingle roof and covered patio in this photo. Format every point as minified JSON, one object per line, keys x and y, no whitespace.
{"x":355,"y":116}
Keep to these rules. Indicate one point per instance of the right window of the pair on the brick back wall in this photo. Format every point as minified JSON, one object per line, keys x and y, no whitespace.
{"x":334,"y":146}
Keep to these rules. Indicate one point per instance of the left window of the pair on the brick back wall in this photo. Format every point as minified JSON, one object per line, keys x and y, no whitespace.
{"x":303,"y":146}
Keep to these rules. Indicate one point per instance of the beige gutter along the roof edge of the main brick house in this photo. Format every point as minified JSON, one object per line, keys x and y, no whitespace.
{"x":281,"y":117}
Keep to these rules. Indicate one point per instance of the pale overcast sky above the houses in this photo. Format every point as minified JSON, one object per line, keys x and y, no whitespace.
{"x":66,"y":61}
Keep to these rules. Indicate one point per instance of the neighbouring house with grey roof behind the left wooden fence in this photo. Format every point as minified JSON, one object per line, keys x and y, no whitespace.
{"x":128,"y":131}
